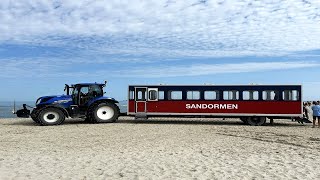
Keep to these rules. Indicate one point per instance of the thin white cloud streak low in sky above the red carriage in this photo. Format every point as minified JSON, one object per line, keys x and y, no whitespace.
{"x":209,"y":69}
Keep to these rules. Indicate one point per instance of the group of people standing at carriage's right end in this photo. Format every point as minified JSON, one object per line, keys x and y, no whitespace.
{"x":312,"y":111}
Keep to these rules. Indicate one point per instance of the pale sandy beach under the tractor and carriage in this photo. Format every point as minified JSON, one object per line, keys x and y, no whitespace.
{"x":159,"y":149}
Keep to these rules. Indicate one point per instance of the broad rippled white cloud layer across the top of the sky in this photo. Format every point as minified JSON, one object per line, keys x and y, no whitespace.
{"x":177,"y":28}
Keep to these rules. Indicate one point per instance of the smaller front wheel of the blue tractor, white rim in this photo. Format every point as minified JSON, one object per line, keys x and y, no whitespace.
{"x":51,"y":116}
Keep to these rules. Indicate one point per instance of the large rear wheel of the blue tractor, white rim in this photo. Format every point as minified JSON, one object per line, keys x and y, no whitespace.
{"x":105,"y":112}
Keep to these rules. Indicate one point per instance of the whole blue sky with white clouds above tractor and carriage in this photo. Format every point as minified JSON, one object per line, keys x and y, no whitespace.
{"x":45,"y":44}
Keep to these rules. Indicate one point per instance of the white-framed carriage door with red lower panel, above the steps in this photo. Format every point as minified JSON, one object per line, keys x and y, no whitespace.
{"x":141,"y":99}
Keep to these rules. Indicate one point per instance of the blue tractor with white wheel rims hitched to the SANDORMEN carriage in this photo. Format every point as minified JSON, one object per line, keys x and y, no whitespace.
{"x":84,"y":100}
